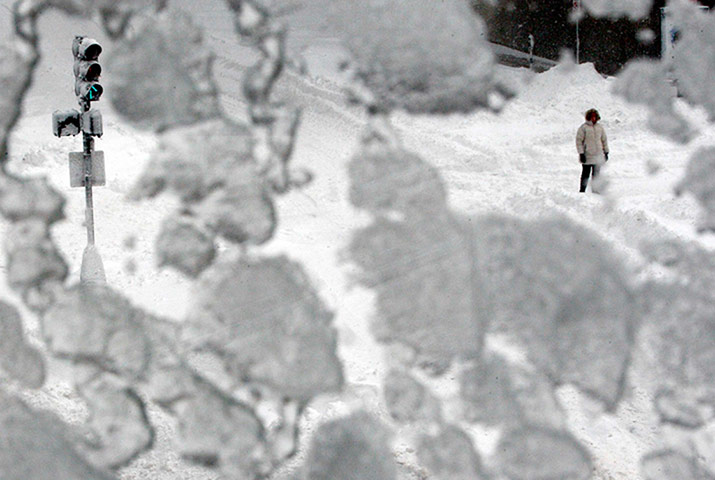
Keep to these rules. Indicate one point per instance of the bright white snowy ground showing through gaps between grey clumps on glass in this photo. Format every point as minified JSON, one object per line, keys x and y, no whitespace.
{"x":522,"y":161}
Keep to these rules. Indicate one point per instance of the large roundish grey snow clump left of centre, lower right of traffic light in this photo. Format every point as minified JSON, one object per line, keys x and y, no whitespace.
{"x":262,"y":317}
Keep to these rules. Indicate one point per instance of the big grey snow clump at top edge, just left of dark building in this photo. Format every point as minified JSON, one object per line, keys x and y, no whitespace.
{"x":422,"y":56}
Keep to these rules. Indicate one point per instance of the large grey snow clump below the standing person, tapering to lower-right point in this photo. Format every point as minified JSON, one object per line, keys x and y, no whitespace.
{"x":557,"y":289}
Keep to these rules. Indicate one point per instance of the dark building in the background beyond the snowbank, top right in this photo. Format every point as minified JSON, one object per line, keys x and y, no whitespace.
{"x":609,"y":44}
